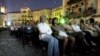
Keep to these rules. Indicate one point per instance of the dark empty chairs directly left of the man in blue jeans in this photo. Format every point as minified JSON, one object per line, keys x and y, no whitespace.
{"x":24,"y":36}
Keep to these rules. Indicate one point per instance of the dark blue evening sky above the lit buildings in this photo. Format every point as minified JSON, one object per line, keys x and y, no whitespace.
{"x":15,"y":5}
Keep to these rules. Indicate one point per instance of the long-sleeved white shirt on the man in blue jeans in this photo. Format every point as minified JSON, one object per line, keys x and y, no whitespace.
{"x":44,"y":29}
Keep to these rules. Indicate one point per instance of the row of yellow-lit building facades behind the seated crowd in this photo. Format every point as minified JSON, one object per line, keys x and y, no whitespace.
{"x":75,"y":8}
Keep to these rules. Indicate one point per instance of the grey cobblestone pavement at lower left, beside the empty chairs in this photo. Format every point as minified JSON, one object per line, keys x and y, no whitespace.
{"x":10,"y":46}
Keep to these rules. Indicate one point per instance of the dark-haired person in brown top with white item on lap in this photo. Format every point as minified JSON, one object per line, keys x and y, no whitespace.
{"x":62,"y":35}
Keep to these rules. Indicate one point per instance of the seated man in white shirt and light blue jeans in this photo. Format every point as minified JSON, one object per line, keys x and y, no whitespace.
{"x":45,"y":35}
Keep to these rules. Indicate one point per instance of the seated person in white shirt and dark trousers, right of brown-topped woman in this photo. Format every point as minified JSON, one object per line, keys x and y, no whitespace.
{"x":78,"y":32}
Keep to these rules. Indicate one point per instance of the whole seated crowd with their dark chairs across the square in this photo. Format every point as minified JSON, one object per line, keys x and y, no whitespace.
{"x":86,"y":33}
